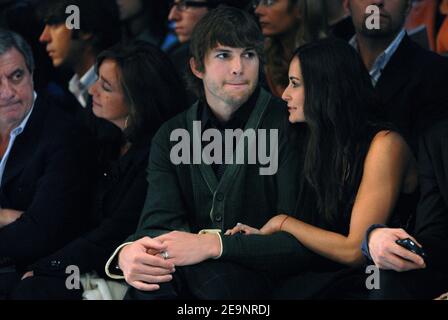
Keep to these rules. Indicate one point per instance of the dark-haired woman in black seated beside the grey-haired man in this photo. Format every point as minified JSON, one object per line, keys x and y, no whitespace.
{"x":134,"y":91}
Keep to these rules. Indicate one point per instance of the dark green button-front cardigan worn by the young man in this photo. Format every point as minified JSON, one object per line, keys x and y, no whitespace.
{"x":190,"y":198}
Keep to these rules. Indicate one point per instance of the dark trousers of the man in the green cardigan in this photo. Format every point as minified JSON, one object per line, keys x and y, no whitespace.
{"x":211,"y":280}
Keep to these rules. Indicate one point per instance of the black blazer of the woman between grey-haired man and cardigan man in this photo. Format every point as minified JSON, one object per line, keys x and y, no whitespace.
{"x":119,"y":199}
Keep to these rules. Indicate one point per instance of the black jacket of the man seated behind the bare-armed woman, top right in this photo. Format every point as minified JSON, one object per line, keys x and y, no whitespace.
{"x":413,"y":88}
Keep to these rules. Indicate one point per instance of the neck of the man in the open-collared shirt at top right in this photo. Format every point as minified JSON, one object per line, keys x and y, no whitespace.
{"x":370,"y":48}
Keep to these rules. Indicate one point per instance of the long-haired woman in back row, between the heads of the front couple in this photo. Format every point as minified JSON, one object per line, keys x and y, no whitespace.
{"x":287,"y":24}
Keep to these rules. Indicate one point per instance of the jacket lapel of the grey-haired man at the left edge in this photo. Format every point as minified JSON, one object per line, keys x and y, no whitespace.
{"x":24,"y":144}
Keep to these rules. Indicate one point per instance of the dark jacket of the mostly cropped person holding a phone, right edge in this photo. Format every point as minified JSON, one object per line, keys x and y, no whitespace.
{"x":431,"y":227}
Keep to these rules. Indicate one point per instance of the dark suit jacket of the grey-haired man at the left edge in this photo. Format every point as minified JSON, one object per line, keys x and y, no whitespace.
{"x":47,"y":176}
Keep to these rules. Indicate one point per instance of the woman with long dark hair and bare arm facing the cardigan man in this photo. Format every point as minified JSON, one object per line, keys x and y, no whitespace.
{"x":356,"y":173}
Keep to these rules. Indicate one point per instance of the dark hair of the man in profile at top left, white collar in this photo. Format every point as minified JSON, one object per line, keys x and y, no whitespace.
{"x":97,"y":17}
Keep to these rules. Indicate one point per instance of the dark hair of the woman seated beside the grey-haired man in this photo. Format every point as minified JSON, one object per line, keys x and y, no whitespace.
{"x":152,"y":90}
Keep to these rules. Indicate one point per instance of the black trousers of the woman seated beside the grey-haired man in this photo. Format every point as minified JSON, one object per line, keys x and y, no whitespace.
{"x":44,"y":288}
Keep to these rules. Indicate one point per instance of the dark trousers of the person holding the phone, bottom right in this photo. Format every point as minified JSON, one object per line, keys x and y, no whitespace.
{"x":424,"y":284}
